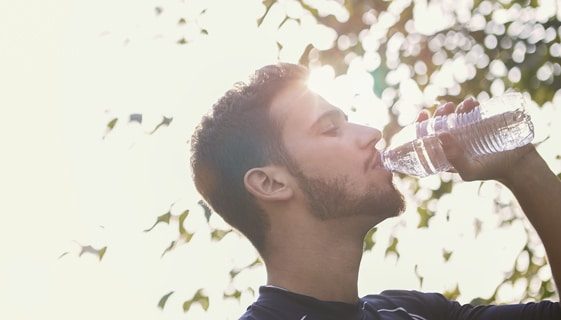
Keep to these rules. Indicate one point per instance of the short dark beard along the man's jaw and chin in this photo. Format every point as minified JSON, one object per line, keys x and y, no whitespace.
{"x":329,"y":199}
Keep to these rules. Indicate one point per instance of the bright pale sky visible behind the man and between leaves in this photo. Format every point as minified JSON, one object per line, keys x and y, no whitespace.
{"x":68,"y":67}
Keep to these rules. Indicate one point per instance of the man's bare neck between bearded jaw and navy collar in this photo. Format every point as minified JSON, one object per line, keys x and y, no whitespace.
{"x":319,"y":262}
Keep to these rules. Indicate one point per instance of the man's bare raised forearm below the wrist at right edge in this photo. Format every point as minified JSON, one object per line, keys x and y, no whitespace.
{"x":538,"y":190}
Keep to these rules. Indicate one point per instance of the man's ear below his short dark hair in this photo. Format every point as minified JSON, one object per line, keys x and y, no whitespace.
{"x":268,"y":183}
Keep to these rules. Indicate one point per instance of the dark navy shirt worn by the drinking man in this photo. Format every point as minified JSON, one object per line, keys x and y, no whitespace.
{"x":279,"y":304}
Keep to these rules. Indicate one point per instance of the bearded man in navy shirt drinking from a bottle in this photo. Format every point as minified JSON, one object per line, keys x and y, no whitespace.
{"x":287,"y":169}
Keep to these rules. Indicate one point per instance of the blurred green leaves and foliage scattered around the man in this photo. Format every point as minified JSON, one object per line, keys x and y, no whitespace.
{"x":473,"y":48}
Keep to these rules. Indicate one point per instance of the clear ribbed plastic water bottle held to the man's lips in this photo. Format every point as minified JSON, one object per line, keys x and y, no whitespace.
{"x":497,"y":125}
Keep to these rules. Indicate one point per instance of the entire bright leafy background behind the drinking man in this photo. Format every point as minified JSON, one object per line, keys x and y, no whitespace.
{"x":100,"y":100}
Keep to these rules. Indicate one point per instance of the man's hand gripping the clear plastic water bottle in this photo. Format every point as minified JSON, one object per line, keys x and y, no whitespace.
{"x":499,"y":166}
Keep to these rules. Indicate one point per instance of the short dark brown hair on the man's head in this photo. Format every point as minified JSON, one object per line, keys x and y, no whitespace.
{"x":237,"y":135}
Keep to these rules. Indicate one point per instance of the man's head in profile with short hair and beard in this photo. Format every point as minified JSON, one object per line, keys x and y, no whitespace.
{"x":272,"y":142}
